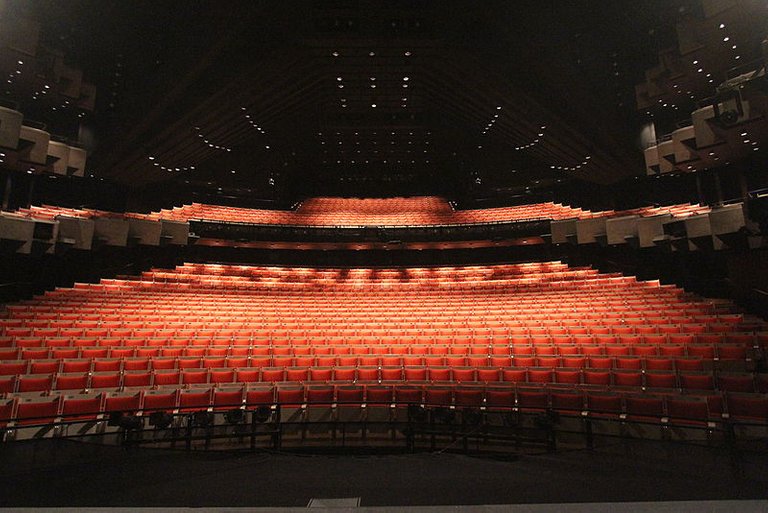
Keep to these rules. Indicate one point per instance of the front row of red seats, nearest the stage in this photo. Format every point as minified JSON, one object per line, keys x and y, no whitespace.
{"x":662,"y":409}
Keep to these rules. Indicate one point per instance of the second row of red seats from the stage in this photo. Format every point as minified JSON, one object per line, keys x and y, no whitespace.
{"x":687,"y":380}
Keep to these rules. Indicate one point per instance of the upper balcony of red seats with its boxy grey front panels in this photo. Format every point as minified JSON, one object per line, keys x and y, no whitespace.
{"x":44,"y":228}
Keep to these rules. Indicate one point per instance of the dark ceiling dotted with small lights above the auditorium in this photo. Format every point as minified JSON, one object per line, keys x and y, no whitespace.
{"x":299,"y":98}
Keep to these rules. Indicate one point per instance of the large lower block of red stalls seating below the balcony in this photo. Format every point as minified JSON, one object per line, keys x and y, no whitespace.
{"x":572,"y":337}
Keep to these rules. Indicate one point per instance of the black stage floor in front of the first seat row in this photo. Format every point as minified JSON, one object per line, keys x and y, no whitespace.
{"x":67,"y":473}
